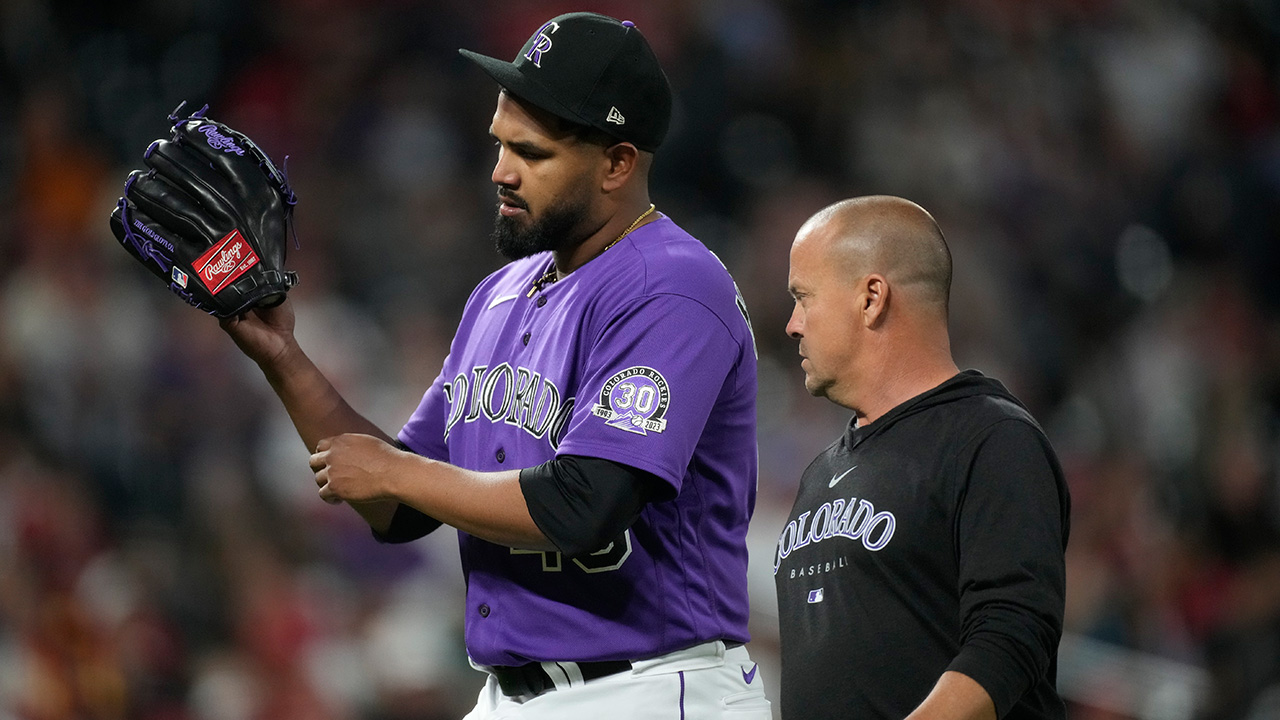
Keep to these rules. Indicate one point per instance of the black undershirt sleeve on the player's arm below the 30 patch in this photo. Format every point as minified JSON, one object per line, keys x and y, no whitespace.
{"x":583,"y":504}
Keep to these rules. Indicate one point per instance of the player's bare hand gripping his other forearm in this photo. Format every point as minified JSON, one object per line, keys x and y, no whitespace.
{"x":355,"y":468}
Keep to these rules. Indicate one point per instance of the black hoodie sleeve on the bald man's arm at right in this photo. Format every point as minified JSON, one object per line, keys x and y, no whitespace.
{"x":1012,"y":527}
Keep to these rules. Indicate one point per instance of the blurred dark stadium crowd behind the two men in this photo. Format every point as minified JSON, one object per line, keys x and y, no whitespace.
{"x":1108,"y":174}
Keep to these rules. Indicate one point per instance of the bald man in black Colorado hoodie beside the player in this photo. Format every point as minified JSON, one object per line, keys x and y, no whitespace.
{"x":922,"y":571}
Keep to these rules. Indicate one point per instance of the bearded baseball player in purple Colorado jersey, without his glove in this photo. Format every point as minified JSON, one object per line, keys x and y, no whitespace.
{"x":592,"y":435}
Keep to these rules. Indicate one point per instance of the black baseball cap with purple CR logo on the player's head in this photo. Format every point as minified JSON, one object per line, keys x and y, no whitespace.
{"x":593,"y":71}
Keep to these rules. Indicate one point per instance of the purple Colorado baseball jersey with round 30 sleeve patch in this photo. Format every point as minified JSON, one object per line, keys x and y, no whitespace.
{"x":643,"y":356}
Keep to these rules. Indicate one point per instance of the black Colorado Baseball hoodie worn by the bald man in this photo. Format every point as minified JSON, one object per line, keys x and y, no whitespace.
{"x":931,"y":540}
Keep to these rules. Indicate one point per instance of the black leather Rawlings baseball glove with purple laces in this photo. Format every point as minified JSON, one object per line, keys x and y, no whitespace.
{"x":209,"y":218}
